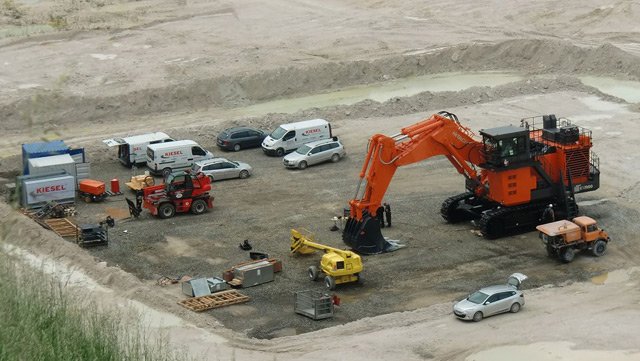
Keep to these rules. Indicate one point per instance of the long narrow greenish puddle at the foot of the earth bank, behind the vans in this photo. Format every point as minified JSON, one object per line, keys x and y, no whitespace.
{"x":384,"y":91}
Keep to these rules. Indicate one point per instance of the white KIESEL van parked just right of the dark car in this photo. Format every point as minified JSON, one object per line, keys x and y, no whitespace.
{"x":288,"y":137}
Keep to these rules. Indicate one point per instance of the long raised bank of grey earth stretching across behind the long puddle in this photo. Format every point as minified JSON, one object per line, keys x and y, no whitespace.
{"x":45,"y":108}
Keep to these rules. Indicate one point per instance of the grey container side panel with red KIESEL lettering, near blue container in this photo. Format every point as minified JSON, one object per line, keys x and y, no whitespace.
{"x":50,"y":189}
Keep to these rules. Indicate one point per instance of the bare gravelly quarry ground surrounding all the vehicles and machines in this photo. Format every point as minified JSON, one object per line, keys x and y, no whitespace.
{"x":85,"y":71}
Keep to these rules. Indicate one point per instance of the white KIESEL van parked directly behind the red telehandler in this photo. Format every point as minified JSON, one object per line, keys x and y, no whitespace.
{"x":165,"y":158}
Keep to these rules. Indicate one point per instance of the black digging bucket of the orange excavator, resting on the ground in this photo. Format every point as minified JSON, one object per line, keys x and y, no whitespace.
{"x":364,"y":236}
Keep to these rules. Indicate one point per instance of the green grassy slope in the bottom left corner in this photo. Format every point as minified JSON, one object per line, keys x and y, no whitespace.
{"x":40,"y":321}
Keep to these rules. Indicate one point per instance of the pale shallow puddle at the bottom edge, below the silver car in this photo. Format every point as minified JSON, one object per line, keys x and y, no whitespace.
{"x":548,"y":351}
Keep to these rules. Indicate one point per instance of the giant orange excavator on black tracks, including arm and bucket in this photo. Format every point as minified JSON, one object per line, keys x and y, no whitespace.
{"x":516,"y":177}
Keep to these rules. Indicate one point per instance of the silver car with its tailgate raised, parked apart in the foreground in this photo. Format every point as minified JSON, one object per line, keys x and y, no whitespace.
{"x":492,"y":300}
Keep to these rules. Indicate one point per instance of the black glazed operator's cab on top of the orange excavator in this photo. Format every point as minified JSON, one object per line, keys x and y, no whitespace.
{"x":504,"y":146}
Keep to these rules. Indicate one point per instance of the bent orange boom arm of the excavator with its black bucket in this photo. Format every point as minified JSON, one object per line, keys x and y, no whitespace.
{"x":441,"y":134}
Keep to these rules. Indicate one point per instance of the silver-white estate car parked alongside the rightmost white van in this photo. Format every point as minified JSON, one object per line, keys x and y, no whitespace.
{"x":314,"y":153}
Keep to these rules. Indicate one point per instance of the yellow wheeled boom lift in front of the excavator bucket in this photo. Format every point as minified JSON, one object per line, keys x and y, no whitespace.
{"x":339,"y":266}
